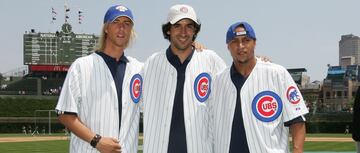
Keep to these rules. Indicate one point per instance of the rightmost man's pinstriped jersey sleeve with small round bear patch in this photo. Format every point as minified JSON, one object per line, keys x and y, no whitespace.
{"x":293,"y":101}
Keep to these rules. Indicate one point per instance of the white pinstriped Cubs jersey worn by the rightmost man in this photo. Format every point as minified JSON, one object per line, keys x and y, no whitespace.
{"x":269,"y":97}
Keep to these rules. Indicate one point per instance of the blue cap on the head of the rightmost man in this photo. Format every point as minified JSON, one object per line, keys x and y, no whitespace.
{"x":231,"y":33}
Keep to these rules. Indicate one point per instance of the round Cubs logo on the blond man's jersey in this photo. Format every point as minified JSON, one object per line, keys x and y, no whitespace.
{"x":135,"y":88}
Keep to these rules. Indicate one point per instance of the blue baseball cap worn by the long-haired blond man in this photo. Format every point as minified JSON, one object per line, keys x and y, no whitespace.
{"x":117,"y":11}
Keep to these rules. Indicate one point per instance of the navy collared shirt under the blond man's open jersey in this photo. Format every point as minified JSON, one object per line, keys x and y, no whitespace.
{"x":117,"y":69}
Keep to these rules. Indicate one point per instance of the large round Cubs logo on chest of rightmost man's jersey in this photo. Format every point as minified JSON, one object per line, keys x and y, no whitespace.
{"x":267,"y":106}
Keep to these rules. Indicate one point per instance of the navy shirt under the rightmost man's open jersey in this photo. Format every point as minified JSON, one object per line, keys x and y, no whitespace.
{"x":238,"y":142}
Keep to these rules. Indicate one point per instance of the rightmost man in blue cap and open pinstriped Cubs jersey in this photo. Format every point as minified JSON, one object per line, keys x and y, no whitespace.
{"x":254,"y":103}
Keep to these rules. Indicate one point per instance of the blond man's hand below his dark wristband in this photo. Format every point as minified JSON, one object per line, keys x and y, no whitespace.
{"x":108,"y":145}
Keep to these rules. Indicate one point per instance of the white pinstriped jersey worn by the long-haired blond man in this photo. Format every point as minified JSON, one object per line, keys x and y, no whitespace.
{"x":89,"y":90}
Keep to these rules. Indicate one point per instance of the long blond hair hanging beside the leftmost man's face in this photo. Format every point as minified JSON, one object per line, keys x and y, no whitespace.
{"x":103,"y":36}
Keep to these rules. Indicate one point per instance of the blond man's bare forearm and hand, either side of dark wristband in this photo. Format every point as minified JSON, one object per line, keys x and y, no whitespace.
{"x":73,"y":123}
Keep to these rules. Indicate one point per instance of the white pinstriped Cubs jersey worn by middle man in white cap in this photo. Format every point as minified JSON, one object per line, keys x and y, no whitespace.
{"x":159,"y":86}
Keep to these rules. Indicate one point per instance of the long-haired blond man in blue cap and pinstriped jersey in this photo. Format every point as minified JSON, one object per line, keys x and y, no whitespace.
{"x":98,"y":101}
